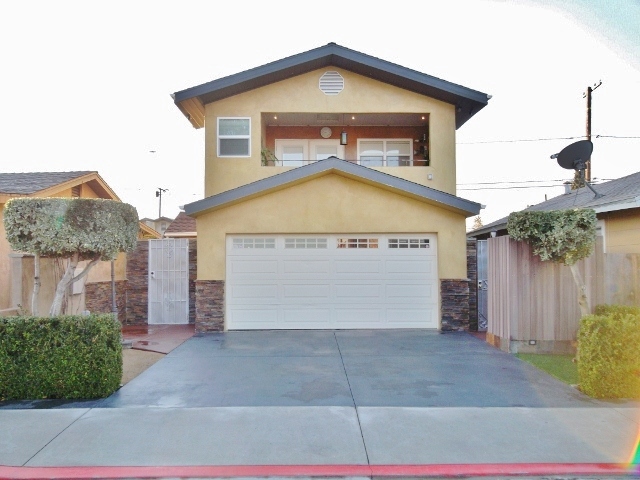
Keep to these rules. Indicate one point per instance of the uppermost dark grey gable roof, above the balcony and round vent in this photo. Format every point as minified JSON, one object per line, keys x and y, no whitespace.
{"x":467,"y":101}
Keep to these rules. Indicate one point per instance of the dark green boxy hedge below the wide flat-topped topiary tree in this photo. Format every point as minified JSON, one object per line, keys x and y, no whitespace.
{"x":67,"y":357}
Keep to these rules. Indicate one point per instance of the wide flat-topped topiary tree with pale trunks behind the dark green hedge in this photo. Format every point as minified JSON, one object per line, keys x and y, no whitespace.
{"x":75,"y":229}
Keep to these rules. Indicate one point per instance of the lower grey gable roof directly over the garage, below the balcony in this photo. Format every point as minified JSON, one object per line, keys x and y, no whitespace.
{"x":333,"y":165}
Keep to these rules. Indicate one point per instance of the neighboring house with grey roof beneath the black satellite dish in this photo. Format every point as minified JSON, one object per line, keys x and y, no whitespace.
{"x":617,"y":210}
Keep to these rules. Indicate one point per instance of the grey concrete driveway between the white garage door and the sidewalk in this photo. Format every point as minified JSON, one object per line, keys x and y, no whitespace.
{"x":361,"y":368}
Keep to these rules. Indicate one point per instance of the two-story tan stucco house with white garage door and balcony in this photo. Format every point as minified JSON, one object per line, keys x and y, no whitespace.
{"x":330,"y":185}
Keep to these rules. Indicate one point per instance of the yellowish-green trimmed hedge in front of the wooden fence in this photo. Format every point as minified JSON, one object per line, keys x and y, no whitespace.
{"x":609,"y":355}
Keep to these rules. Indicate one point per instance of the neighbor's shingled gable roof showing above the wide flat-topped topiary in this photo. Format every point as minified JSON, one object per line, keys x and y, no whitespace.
{"x":47,"y":183}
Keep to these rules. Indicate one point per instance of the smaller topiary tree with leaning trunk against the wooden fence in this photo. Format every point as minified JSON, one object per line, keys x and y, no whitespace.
{"x":561,"y":236}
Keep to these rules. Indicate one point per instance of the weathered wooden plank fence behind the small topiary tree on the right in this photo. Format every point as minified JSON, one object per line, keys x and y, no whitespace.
{"x":533,"y":305}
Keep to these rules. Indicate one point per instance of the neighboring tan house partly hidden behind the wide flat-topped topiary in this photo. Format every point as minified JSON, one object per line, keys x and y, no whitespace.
{"x":16,"y":269}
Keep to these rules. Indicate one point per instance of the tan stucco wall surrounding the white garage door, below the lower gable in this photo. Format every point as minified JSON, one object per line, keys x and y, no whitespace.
{"x":331,"y":204}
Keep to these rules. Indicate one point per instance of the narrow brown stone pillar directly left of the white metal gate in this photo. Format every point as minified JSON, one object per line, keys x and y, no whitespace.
{"x":137,"y":285}
